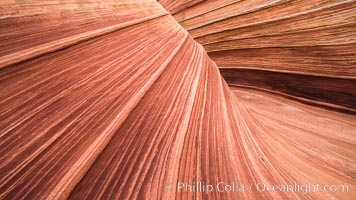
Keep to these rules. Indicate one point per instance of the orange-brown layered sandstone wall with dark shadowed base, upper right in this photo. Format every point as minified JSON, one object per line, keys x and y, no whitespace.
{"x":301,"y":49}
